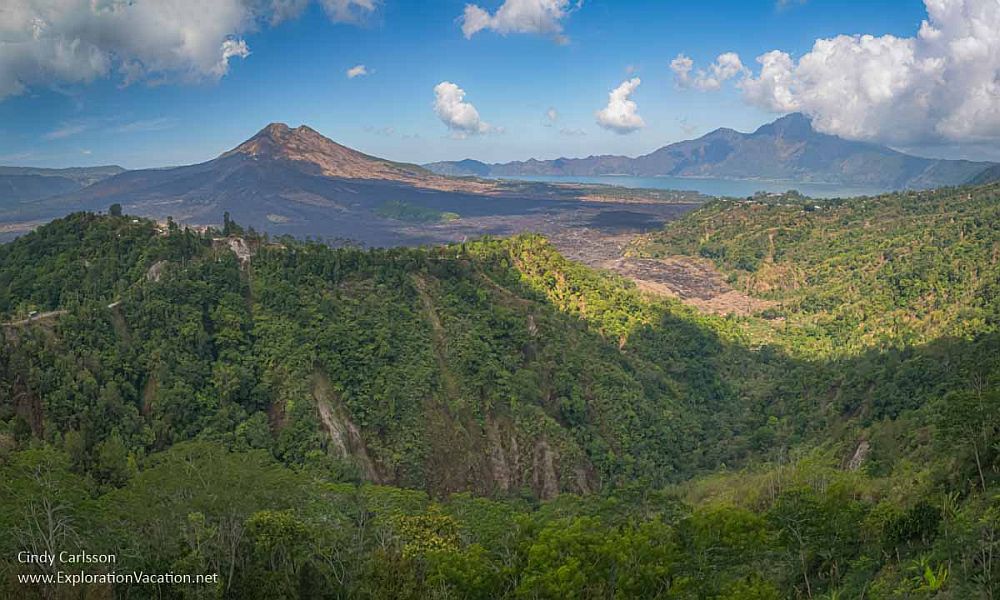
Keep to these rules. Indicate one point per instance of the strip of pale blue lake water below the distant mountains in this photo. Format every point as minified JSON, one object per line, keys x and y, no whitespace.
{"x":739,"y":188}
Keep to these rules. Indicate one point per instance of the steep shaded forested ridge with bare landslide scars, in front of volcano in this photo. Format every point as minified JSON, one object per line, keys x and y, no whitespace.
{"x":435,"y":369}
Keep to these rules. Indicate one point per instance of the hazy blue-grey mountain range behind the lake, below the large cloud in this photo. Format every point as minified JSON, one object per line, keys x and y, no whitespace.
{"x":787,"y":149}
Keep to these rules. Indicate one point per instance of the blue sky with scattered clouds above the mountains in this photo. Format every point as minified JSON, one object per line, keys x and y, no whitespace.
{"x":143,"y":83}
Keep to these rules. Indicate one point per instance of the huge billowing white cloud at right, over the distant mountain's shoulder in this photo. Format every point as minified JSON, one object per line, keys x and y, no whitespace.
{"x":941,"y":86}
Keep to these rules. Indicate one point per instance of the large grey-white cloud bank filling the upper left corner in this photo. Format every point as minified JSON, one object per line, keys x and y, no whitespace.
{"x":51,"y":42}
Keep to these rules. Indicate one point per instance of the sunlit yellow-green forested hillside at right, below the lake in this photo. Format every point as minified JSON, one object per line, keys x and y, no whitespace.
{"x":898,"y":269}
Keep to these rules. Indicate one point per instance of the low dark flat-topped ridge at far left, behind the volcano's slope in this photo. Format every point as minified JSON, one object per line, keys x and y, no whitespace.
{"x":25,"y":184}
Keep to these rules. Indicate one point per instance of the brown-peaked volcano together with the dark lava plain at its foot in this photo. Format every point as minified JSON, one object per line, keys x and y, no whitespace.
{"x":295,"y":181}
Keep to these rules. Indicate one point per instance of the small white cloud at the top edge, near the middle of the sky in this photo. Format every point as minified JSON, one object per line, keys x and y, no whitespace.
{"x":519,"y":16}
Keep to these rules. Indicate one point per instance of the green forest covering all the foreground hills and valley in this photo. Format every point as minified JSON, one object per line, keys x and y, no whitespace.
{"x":492,"y":420}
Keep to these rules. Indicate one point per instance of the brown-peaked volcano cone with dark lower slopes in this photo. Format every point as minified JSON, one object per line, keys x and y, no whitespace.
{"x":282,"y":173}
